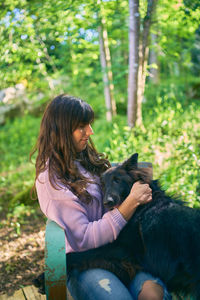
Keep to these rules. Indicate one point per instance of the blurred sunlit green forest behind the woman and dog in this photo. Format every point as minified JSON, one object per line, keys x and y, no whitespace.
{"x":82,"y":48}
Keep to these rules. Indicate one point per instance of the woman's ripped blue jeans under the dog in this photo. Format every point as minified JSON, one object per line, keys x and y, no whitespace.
{"x":100,"y":284}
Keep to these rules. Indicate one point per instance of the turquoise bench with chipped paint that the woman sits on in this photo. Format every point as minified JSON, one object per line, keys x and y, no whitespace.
{"x":55,"y":260}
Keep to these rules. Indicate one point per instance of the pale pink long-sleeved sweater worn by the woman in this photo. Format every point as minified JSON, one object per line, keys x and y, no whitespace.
{"x":86,"y":225}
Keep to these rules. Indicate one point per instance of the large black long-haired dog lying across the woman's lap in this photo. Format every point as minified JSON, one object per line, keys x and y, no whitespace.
{"x":162,"y":237}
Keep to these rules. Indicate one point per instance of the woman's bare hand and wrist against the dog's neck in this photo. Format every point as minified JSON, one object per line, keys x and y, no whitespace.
{"x":140,"y":194}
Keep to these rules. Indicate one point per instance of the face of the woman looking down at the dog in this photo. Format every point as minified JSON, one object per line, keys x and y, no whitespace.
{"x":81,"y":135}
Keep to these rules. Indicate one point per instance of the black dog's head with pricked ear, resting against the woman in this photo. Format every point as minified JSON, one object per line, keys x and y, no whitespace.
{"x":118,"y":180}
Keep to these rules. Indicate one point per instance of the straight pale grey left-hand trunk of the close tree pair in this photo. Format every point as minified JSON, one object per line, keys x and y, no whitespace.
{"x":134,"y":31}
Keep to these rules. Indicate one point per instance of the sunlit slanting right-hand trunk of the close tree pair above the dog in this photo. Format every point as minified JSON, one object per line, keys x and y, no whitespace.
{"x":143,"y":57}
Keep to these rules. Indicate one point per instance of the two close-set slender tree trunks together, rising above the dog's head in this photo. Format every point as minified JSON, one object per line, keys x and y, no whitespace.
{"x":138,"y":55}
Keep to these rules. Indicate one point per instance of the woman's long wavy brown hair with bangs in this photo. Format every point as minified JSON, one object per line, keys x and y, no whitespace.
{"x":56,"y":150}
